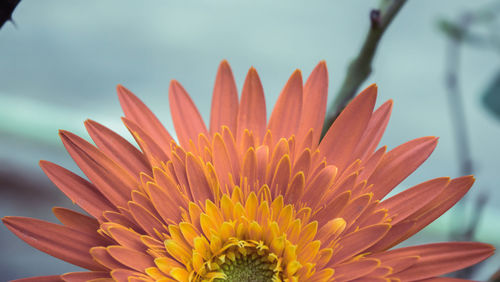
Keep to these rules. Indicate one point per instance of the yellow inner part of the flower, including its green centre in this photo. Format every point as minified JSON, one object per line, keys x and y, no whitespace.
{"x":244,"y":240}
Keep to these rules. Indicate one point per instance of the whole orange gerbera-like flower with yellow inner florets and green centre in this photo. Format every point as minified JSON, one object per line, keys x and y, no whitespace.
{"x":249,"y":199}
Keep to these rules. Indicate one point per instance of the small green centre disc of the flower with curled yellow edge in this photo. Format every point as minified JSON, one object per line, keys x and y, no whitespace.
{"x":248,"y":262}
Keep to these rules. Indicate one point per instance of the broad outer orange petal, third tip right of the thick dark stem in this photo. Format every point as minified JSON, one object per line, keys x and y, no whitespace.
{"x":399,"y":163}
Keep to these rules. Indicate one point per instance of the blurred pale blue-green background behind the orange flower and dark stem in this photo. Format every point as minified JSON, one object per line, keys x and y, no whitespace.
{"x":61,"y":61}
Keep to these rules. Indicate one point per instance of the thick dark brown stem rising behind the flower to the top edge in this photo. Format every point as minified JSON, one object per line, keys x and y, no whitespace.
{"x":361,"y":67}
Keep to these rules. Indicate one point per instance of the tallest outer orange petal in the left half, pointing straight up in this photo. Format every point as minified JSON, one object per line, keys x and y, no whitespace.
{"x":224,"y":101}
